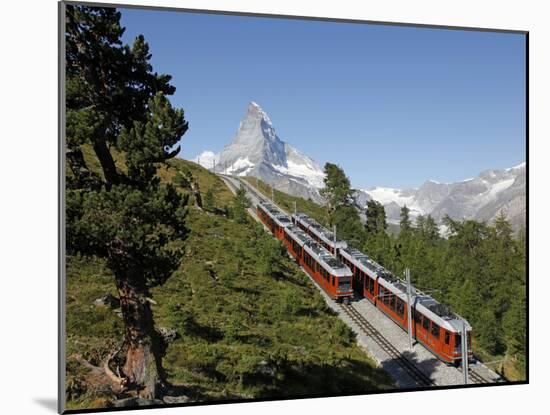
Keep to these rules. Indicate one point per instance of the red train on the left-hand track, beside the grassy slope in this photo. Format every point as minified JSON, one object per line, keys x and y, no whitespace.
{"x":332,"y":275}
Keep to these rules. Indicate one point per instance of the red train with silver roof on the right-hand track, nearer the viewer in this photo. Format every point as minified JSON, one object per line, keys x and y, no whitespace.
{"x":434,"y":325}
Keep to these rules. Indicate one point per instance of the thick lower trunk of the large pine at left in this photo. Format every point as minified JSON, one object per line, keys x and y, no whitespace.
{"x":143,"y":359}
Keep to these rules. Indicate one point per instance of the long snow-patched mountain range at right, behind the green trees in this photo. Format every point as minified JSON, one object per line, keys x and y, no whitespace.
{"x":482,"y":197}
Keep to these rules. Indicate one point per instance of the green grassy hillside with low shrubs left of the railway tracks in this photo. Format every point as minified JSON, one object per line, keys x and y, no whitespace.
{"x":240,"y":332}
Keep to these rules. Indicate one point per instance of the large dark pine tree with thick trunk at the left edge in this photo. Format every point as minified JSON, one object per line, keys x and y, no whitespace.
{"x":115,"y":102}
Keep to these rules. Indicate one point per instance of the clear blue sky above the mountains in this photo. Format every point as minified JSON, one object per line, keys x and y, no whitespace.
{"x":394,"y":106}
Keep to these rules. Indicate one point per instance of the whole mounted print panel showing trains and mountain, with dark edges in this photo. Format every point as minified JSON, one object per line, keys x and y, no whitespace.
{"x":263,"y":207}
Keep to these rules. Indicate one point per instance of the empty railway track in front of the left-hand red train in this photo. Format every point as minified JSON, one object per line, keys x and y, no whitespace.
{"x":410,"y":368}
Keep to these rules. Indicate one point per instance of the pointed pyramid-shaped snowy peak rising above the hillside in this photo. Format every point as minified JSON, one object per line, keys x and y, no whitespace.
{"x":257,"y":151}
